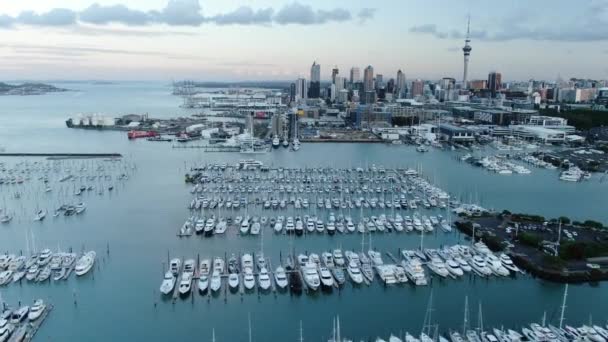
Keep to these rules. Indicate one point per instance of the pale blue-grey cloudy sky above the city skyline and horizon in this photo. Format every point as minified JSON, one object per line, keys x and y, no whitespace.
{"x":232,"y":40}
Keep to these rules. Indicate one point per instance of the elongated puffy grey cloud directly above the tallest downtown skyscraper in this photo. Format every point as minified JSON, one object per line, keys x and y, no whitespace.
{"x":296,"y":13}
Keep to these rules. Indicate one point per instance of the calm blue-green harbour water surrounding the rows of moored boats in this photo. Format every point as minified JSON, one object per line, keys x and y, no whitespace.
{"x":120,"y":299}
